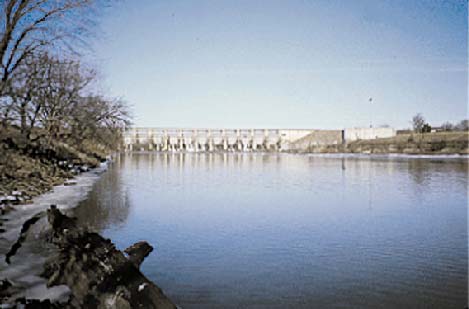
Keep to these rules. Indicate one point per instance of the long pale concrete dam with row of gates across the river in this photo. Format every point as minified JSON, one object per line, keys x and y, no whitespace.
{"x":242,"y":140}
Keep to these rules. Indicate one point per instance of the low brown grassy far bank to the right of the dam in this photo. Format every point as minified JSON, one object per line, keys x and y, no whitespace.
{"x":437,"y":143}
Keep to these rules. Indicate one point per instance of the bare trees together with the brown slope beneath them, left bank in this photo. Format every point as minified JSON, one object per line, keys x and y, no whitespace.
{"x":54,"y":122}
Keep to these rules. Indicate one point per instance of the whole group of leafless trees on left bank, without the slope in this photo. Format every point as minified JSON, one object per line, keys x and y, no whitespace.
{"x":45,"y":89}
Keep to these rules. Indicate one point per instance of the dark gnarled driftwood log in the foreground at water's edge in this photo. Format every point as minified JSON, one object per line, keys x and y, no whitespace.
{"x":99,"y":275}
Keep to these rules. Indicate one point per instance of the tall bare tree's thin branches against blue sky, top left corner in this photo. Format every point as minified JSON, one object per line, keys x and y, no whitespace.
{"x":29,"y":26}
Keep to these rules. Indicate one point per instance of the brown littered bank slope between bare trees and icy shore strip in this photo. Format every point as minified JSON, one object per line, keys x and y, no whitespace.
{"x":30,"y":166}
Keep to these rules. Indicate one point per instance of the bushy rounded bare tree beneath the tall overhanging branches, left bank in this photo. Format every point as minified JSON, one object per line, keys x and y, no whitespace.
{"x":43,"y":90}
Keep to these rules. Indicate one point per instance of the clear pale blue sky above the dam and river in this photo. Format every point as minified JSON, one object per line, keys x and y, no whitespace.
{"x":287,"y":64}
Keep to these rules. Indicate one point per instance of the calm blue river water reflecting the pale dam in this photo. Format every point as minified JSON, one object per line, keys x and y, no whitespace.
{"x":280,"y":230}
